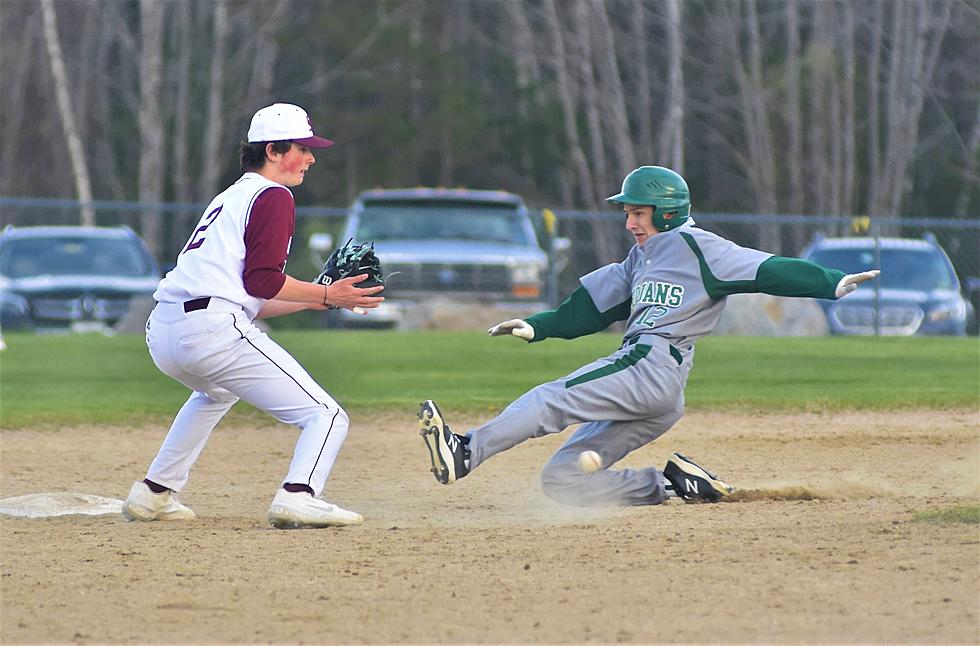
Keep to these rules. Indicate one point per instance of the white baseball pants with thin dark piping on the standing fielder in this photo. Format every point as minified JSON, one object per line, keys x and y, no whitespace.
{"x":219,"y":354}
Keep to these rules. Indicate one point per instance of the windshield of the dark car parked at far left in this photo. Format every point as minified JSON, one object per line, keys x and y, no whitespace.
{"x":72,"y":256}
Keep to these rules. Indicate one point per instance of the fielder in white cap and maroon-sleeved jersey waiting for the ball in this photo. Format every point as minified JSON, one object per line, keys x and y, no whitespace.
{"x":201,"y":331}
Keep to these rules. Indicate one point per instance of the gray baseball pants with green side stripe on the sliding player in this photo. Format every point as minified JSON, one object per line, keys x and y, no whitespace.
{"x":623,"y":401}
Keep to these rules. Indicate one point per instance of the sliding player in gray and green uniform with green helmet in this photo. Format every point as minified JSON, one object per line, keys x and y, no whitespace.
{"x":670,"y":290}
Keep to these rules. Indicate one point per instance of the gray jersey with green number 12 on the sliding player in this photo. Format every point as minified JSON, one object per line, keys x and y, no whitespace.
{"x":671,"y":280}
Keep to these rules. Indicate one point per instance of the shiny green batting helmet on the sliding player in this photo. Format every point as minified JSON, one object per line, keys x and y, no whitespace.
{"x":661,"y":188}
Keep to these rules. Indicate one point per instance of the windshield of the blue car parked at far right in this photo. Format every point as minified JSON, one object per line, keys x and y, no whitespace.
{"x":913,"y":269}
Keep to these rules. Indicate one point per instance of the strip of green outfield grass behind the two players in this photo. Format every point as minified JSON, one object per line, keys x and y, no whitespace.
{"x":93,"y":379}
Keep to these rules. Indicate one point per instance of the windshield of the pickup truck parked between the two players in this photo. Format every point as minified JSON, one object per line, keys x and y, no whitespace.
{"x":441,"y":220}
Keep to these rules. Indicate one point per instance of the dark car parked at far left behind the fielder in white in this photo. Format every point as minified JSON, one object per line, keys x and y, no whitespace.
{"x":76,"y":278}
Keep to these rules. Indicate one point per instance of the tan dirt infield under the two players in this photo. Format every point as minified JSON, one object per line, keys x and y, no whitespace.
{"x":821,"y":545}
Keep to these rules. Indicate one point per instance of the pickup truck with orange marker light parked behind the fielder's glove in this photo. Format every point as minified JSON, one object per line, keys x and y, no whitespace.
{"x":463,"y":245}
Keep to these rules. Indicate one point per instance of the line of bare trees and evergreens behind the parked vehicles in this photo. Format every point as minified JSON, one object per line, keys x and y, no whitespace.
{"x":769,"y":106}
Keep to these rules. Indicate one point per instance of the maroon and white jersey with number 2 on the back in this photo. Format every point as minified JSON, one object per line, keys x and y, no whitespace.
{"x":238,"y":250}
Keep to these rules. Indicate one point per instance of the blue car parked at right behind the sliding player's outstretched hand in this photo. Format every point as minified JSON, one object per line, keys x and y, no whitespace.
{"x":918,"y":291}
